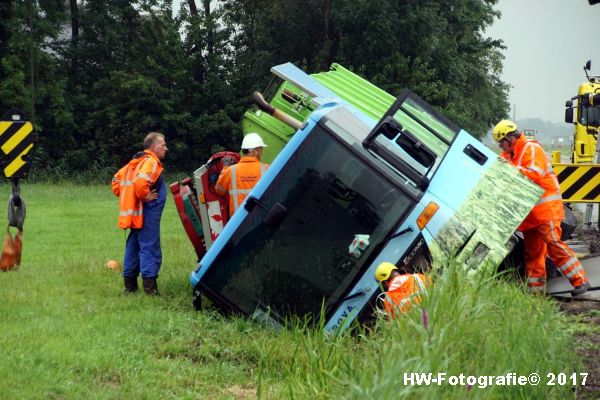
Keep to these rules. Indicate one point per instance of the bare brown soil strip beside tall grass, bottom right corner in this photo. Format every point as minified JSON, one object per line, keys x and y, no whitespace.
{"x":586,"y":314}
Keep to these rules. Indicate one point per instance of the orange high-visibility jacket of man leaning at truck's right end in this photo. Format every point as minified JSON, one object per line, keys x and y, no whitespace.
{"x":532,"y":161}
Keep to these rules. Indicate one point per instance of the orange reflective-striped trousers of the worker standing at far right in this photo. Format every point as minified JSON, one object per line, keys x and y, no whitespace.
{"x":544,"y":240}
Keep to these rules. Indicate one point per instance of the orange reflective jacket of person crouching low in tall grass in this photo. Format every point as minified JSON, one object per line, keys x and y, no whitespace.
{"x":404,"y":290}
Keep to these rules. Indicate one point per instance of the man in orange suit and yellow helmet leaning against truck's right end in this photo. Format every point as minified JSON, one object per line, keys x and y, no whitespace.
{"x":541,"y":228}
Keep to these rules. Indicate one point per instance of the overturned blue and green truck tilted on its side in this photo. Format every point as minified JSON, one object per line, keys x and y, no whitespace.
{"x":360,"y":177}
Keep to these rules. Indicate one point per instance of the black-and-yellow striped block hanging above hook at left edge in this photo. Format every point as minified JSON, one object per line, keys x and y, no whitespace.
{"x":16,"y":141}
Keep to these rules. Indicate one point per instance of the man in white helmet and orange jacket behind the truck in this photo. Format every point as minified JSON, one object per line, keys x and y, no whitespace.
{"x":237,"y":180}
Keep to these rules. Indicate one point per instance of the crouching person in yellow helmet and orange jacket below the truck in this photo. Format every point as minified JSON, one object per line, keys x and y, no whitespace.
{"x":401,"y":290}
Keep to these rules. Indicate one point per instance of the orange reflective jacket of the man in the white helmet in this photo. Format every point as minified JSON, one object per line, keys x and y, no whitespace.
{"x":239,"y":179}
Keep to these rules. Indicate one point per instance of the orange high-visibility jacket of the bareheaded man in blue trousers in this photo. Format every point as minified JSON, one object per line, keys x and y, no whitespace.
{"x":133,"y":183}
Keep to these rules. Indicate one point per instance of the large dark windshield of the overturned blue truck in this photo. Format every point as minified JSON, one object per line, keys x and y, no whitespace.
{"x":308,"y":262}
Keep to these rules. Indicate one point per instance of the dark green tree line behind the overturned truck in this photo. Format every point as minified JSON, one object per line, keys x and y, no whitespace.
{"x":96,"y":75}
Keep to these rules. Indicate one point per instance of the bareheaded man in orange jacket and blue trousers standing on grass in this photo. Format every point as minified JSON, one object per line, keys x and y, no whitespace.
{"x":142,"y":193}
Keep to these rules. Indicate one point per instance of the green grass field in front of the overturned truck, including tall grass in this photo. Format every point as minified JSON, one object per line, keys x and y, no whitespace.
{"x":68,"y":332}
